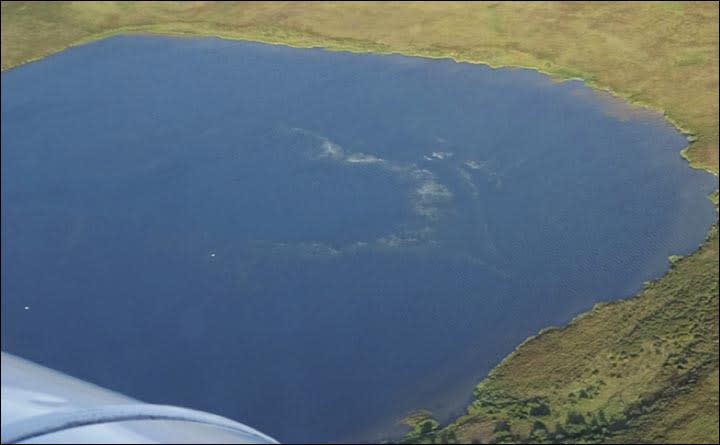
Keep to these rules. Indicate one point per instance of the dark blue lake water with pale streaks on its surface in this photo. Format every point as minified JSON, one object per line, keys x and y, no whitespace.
{"x":316,"y":243}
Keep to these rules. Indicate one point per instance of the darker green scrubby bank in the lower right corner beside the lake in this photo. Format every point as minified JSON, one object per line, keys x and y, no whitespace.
{"x":653,"y":376}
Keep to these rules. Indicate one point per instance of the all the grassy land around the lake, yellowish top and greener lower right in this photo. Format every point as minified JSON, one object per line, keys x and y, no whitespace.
{"x":642,"y":369}
